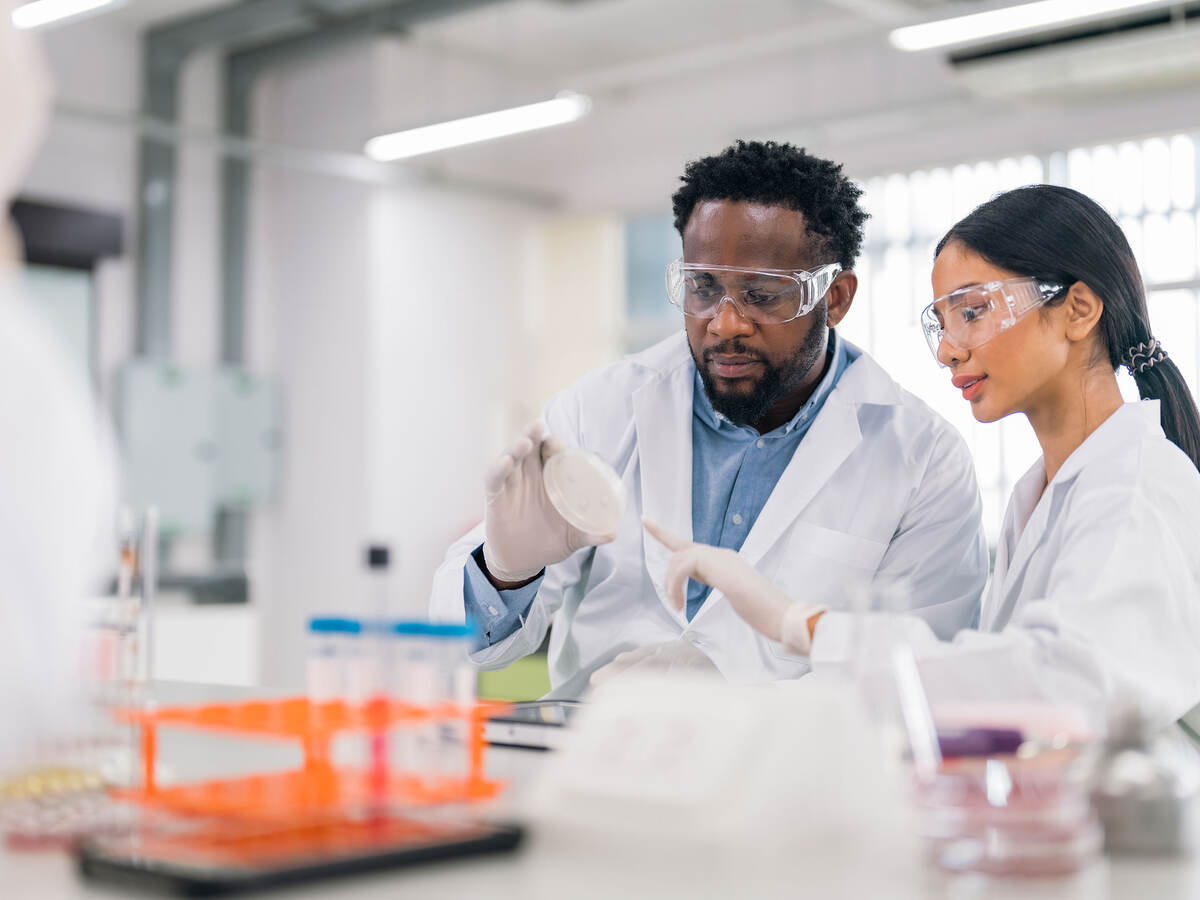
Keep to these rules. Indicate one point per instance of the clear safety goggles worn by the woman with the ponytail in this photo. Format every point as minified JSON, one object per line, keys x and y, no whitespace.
{"x":973,"y":316}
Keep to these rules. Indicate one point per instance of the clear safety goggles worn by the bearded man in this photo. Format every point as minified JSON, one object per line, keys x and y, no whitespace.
{"x":770,"y":297}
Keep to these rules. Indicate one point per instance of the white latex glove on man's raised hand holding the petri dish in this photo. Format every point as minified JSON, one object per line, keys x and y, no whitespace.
{"x":523,"y":531}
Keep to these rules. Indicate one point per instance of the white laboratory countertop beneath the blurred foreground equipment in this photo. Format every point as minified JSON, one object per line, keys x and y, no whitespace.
{"x":560,"y":866}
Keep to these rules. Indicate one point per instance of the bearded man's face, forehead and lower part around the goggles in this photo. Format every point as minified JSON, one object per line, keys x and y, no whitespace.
{"x":749,"y":370}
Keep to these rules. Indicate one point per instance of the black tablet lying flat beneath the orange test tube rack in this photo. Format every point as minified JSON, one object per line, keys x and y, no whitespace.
{"x":233,"y":859}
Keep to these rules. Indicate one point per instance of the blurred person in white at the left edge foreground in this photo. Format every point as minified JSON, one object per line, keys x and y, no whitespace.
{"x":56,"y":481}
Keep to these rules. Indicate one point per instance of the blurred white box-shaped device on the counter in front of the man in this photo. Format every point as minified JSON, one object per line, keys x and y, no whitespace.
{"x":729,"y":779}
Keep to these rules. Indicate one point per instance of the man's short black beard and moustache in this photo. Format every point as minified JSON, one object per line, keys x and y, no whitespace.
{"x":776,"y":383}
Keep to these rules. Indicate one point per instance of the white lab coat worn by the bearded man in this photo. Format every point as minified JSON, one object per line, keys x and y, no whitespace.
{"x":879,"y":488}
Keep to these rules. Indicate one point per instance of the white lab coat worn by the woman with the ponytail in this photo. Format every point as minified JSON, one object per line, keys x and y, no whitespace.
{"x":1095,"y":602}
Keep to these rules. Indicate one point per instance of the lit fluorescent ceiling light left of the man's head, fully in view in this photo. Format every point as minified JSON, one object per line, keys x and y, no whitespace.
{"x":566,"y":107}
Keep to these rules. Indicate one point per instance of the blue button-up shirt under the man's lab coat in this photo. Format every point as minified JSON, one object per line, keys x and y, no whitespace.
{"x":734,"y":471}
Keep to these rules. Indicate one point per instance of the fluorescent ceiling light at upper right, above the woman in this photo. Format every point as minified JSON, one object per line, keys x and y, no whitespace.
{"x":1007,"y":21}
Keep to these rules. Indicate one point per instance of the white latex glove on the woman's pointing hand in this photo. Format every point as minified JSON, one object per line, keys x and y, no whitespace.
{"x":767,"y":609}
